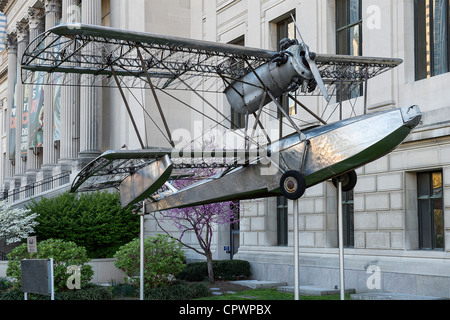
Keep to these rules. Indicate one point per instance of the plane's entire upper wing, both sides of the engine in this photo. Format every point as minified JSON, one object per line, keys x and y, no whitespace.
{"x":171,"y":62}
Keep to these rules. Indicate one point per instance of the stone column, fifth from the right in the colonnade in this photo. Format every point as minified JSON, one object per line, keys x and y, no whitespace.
{"x":22,"y":42}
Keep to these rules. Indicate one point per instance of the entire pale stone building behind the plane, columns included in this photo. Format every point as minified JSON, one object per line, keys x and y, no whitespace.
{"x":397,"y":220}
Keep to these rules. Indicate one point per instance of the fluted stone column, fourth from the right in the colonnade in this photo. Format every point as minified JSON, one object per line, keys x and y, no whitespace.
{"x":36,"y":27}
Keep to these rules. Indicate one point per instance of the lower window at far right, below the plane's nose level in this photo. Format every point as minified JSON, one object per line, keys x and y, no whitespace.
{"x":430,"y":209}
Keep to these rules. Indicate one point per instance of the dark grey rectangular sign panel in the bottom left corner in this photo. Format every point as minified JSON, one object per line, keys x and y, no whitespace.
{"x":37,"y":276}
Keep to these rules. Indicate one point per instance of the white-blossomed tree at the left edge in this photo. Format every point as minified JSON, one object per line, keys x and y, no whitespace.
{"x":16,"y":224}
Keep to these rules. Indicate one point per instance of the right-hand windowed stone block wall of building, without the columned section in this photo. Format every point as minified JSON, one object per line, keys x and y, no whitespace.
{"x":397,"y":218}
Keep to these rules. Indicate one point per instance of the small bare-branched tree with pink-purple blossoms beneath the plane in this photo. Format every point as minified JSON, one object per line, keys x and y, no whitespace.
{"x":200,"y":219}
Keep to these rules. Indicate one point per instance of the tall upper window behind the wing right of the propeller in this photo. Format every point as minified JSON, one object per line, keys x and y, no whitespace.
{"x":349,"y":35}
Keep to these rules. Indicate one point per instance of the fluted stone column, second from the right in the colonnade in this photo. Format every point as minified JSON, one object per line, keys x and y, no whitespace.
{"x":70,"y":101}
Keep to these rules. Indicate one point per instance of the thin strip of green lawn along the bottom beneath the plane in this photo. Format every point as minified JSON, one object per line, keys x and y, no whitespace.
{"x":268,"y":294}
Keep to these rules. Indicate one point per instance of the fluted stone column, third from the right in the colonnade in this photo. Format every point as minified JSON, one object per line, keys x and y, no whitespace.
{"x":52,"y":14}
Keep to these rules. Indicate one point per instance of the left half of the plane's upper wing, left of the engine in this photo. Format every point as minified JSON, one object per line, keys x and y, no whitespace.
{"x":171,"y":62}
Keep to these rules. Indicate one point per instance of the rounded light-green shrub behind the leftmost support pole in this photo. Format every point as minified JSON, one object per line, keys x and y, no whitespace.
{"x":163,"y":259}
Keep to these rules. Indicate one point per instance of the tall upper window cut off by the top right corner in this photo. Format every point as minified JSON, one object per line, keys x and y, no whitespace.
{"x":431,"y":25}
